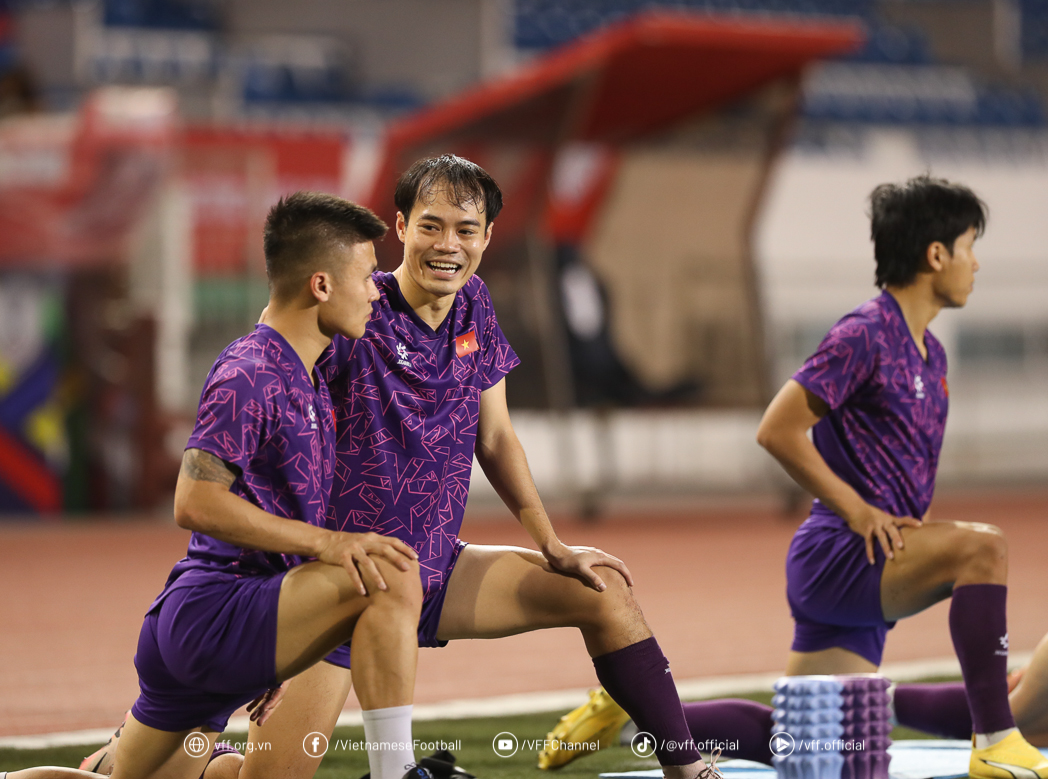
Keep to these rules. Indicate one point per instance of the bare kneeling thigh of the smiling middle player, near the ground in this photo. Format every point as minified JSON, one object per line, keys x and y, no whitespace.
{"x":312,"y":704}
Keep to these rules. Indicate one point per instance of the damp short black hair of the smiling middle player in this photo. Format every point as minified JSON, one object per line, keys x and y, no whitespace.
{"x":465,"y":183}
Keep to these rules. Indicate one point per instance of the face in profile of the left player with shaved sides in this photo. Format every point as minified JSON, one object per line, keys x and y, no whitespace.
{"x":353,"y":291}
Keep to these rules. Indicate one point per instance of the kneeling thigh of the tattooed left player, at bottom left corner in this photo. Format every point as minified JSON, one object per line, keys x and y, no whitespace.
{"x":147,"y":753}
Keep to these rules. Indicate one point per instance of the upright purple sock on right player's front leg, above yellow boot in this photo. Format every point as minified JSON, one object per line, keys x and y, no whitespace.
{"x":979,"y":626}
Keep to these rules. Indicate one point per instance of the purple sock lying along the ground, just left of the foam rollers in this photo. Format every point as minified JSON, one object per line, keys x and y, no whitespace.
{"x":745,"y":726}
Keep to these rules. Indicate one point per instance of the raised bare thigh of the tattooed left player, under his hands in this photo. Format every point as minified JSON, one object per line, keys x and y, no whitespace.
{"x":320,"y":604}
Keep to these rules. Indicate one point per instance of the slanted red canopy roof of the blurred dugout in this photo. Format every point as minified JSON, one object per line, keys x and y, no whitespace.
{"x":621,"y":84}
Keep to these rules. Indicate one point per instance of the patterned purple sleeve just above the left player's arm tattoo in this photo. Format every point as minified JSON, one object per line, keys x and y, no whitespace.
{"x":238,"y":413}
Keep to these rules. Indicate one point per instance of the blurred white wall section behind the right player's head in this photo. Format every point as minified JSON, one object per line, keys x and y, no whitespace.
{"x":813,"y":241}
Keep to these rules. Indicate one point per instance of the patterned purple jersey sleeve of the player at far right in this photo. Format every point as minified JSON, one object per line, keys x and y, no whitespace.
{"x":844,"y":362}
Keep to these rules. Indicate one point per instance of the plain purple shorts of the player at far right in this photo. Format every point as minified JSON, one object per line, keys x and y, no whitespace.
{"x":834,"y":592}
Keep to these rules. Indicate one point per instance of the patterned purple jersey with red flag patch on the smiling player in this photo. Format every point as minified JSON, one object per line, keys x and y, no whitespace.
{"x":407,"y":402}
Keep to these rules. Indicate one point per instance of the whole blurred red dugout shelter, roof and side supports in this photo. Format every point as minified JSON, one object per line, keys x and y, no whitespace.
{"x":630,"y":85}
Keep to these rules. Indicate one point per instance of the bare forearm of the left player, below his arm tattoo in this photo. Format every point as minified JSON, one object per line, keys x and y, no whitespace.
{"x":207,"y":508}
